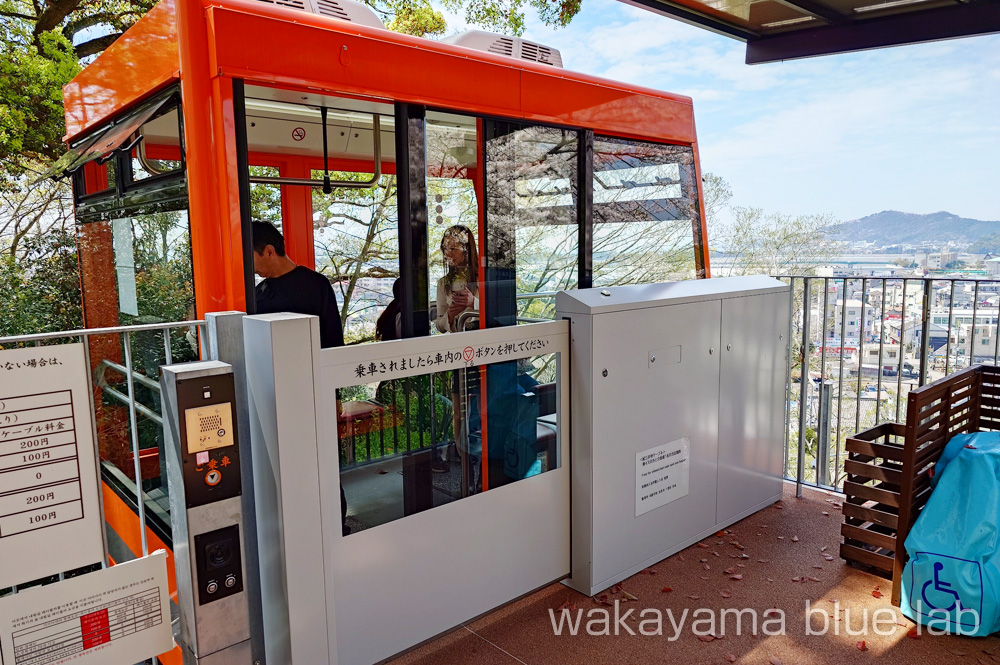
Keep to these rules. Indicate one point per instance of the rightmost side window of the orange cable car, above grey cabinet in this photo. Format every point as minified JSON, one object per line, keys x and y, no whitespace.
{"x":645,"y":212}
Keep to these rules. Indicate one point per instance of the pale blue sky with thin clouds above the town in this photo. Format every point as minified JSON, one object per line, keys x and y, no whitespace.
{"x":912,"y":128}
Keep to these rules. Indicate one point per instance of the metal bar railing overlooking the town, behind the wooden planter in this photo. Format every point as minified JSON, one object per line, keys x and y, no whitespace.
{"x":858,"y":345}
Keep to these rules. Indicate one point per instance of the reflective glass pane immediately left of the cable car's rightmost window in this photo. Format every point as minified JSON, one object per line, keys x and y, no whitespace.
{"x":531,"y":220}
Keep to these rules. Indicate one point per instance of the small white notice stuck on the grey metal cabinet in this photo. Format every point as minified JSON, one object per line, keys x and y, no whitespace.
{"x":662,"y":475}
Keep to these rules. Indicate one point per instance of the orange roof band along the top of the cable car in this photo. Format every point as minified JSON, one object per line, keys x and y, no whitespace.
{"x":292,"y":49}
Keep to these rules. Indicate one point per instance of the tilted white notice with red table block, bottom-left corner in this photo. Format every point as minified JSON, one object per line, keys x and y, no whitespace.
{"x":116,"y":616}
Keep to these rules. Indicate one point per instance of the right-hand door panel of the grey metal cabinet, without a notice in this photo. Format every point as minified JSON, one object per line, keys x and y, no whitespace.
{"x":751,"y":395}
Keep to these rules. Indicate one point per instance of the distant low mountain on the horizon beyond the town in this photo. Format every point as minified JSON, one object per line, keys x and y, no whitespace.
{"x":891,"y":227}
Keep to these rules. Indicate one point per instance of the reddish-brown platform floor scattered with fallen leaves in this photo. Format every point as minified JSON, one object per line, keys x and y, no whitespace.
{"x":522,"y":632}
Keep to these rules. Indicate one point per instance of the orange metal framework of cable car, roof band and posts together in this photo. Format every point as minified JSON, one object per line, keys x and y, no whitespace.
{"x":206,"y":44}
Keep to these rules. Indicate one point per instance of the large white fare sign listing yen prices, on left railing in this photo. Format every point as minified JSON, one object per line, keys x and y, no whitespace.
{"x":50,"y":518}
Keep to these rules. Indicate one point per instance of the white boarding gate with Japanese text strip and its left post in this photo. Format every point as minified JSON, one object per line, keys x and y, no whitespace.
{"x":364,"y":597}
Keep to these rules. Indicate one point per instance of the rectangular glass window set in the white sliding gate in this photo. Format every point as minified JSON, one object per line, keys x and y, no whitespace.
{"x":400,"y":451}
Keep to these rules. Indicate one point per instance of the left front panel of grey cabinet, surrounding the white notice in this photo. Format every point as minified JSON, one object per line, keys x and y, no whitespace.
{"x":644,"y":404}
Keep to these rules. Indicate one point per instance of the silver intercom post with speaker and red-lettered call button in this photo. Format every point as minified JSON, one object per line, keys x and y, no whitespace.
{"x":203,"y":470}
